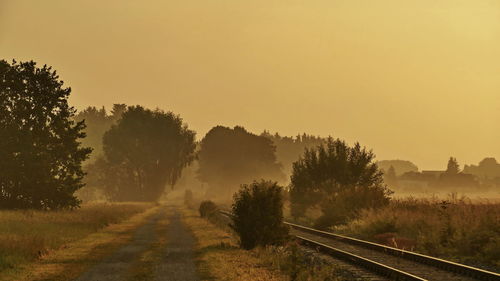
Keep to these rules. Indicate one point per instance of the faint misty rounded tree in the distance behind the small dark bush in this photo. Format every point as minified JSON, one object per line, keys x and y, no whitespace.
{"x":229,"y":157}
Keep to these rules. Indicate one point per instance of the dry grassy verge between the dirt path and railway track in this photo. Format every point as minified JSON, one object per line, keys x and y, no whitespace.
{"x":222,"y":259}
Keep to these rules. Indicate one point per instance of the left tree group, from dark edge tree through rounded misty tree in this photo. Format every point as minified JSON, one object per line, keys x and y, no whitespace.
{"x":137,"y":151}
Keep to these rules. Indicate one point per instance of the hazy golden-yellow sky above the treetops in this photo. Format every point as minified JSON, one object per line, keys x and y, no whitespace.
{"x":415,"y":79}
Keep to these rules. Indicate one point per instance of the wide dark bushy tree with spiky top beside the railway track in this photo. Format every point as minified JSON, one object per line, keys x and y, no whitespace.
{"x":341,"y":180}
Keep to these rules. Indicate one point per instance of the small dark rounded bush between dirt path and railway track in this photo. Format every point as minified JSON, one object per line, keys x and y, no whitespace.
{"x":258,"y":215}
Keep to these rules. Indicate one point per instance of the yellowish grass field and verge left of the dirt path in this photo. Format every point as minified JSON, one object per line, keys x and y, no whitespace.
{"x":36,"y":244}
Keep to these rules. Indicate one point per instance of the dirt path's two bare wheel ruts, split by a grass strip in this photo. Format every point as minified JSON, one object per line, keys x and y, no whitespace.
{"x":176,"y":258}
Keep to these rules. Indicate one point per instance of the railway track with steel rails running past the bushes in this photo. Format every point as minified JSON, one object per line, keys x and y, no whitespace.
{"x":386,"y":261}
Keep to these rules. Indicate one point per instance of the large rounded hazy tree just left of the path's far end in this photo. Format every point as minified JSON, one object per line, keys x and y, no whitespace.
{"x":145,"y":151}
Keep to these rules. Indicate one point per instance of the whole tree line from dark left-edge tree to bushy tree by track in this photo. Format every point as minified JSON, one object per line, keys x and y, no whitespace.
{"x":46,"y":145}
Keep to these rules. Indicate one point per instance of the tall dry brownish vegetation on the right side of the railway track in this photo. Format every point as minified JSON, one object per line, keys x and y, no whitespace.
{"x":456,"y":229}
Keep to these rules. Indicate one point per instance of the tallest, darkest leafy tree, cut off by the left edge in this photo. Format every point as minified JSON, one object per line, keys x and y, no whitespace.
{"x":40,"y":151}
